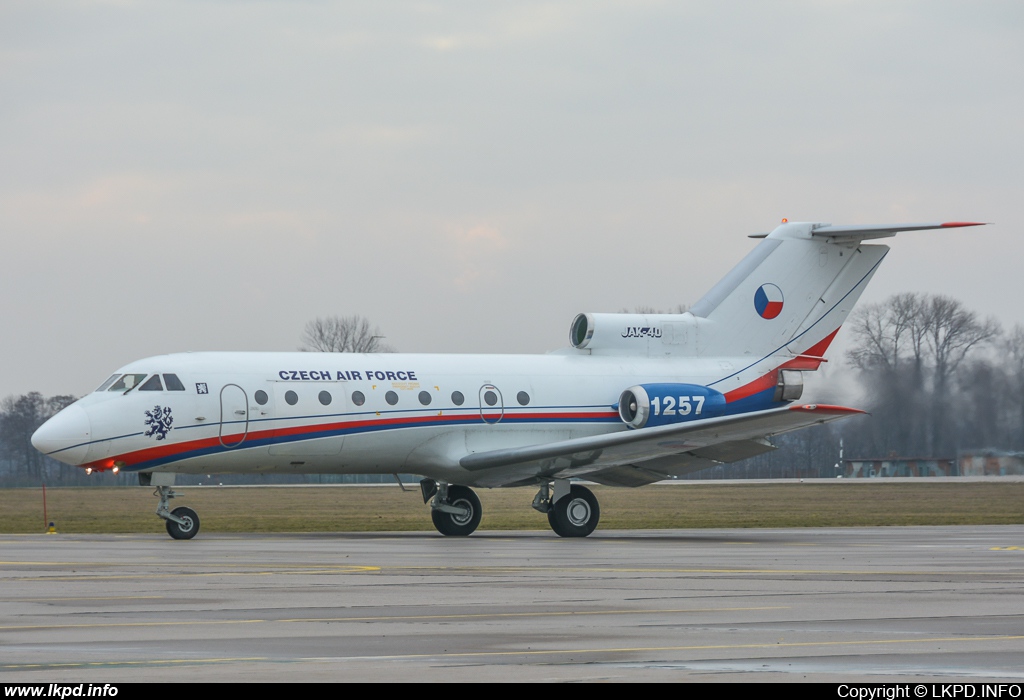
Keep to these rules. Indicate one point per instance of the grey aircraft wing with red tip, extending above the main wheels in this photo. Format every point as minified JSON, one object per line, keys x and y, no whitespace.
{"x":641,"y":457}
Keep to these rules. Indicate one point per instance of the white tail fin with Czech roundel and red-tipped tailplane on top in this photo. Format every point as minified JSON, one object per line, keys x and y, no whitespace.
{"x":794,"y":291}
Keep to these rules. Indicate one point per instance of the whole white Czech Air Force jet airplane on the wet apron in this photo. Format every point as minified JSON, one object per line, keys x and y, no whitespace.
{"x":635,"y":400}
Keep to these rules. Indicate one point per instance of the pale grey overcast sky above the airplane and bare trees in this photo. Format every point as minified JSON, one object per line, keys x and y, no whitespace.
{"x":471,"y":176}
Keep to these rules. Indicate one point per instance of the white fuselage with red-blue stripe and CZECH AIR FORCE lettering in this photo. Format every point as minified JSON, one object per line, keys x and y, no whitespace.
{"x":294,"y":413}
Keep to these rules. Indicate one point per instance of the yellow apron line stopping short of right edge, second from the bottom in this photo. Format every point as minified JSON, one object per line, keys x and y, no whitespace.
{"x":389,"y":619}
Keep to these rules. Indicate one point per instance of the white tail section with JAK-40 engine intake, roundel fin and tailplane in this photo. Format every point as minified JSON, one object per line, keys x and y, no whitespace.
{"x":789,"y":296}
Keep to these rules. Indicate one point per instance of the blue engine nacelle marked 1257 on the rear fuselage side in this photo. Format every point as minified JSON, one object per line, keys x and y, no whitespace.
{"x":659,"y":405}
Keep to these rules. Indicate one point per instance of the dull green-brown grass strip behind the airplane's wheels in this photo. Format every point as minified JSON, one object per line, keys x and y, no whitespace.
{"x":363,"y":509}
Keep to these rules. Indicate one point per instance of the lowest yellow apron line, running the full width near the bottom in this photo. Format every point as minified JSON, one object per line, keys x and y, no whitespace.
{"x":529,"y":652}
